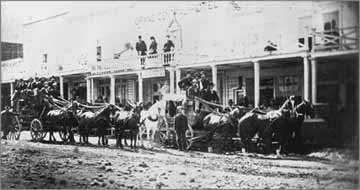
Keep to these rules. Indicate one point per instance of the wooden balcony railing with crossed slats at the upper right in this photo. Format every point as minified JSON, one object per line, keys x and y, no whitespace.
{"x":336,"y":39}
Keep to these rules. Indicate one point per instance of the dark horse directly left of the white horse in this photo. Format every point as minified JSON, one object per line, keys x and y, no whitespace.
{"x":127,"y":119}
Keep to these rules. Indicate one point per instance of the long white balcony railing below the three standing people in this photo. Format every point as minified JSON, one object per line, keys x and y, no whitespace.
{"x":133,"y":63}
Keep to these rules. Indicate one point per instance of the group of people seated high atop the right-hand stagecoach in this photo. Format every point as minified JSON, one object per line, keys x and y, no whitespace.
{"x":199,"y":86}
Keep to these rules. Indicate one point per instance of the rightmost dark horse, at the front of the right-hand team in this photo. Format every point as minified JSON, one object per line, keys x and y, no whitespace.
{"x":287,"y":129}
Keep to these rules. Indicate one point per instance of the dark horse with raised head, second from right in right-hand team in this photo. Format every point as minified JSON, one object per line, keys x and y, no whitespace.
{"x":259,"y":122}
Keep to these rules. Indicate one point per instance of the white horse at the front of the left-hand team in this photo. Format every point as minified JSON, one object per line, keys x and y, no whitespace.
{"x":149,"y":120}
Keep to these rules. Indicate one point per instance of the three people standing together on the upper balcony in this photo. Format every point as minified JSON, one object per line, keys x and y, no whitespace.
{"x":142,"y":50}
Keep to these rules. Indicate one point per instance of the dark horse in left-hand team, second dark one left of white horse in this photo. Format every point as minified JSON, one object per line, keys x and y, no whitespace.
{"x":99,"y":120}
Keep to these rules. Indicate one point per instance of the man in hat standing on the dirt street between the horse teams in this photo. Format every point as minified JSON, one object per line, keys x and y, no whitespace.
{"x":181,"y":125}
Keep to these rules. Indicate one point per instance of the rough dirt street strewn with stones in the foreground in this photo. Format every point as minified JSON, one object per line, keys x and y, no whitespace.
{"x":25,"y":164}
